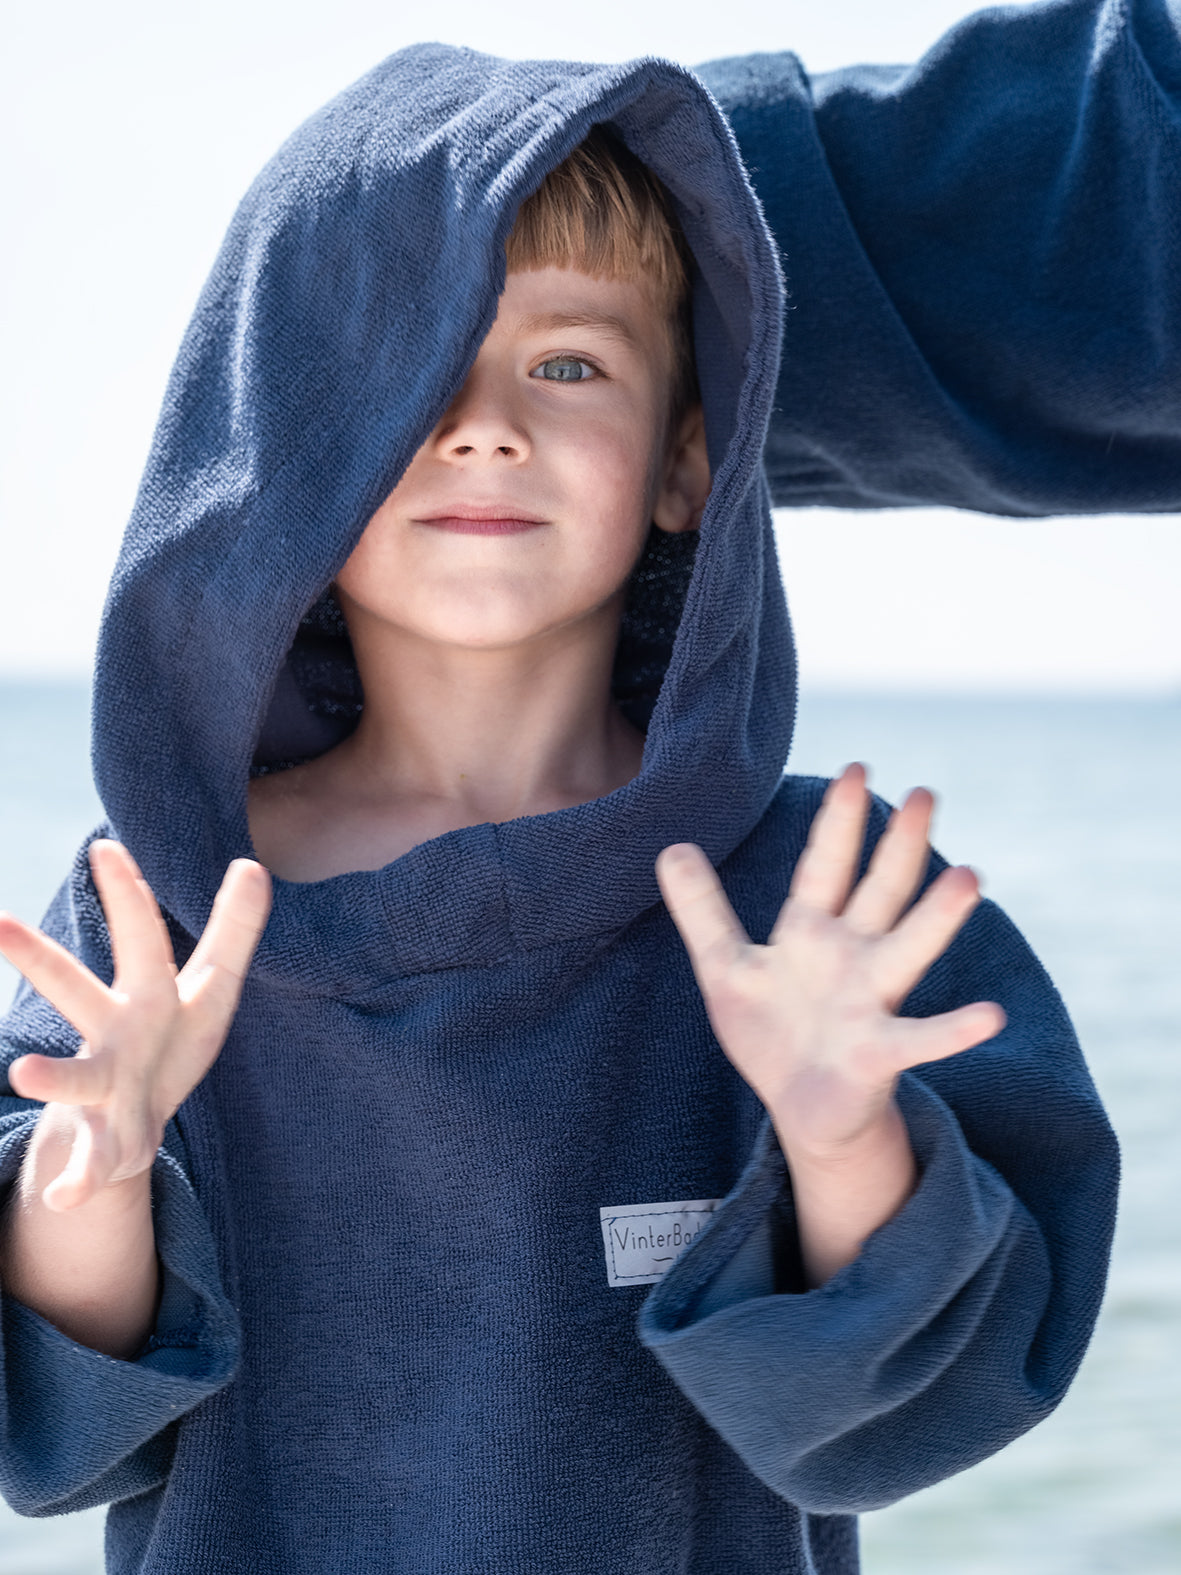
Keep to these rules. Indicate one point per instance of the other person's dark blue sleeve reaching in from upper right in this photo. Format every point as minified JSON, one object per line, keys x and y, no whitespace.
{"x":982,"y":258}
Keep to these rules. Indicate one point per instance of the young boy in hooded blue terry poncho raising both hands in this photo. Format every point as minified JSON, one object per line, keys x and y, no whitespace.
{"x":327,"y":1251}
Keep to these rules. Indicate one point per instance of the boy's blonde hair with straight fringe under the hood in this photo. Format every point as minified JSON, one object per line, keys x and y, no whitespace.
{"x":604,"y":212}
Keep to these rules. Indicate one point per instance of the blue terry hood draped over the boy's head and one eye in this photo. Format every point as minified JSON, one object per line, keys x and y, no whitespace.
{"x":346,"y":308}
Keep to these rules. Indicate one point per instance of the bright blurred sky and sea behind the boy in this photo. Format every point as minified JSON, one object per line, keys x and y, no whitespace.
{"x":1027,"y":670}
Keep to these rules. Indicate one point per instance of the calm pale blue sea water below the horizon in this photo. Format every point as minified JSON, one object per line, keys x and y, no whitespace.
{"x":1070,"y":810}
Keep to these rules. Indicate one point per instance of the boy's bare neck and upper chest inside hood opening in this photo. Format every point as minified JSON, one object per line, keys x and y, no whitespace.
{"x":453,"y":738}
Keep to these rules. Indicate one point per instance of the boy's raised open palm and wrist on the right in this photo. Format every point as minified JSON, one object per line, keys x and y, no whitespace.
{"x":810,"y":1020}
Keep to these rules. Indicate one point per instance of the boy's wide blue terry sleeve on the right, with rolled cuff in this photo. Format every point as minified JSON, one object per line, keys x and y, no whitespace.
{"x":964,"y":1319}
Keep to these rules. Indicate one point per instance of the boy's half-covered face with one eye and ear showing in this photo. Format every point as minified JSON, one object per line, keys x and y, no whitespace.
{"x":528,"y":506}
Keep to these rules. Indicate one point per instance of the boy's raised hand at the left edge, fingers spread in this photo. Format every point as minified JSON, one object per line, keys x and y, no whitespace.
{"x":150,"y":1037}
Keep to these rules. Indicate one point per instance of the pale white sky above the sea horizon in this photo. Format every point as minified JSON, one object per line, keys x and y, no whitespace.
{"x":133,"y":128}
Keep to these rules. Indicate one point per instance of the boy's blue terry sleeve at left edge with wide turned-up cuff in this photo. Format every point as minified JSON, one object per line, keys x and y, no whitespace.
{"x":78,"y":1428}
